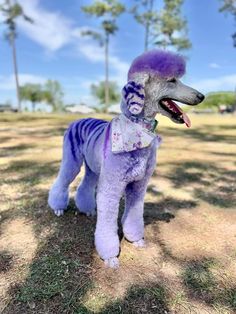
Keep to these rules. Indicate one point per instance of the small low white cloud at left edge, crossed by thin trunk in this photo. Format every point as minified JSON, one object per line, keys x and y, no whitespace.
{"x":8,"y":82}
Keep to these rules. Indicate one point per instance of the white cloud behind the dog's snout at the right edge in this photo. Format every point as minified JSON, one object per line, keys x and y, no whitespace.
{"x":227,"y":82}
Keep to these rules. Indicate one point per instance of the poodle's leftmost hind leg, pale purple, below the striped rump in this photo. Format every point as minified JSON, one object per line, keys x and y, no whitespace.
{"x":70,"y":166}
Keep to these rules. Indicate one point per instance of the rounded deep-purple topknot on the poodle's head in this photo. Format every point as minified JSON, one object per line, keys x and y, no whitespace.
{"x":160,"y":62}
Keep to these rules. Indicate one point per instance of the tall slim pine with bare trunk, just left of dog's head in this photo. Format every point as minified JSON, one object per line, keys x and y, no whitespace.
{"x":108,"y":11}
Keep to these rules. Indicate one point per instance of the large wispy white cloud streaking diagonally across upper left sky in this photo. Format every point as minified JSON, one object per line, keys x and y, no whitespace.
{"x":53,"y":30}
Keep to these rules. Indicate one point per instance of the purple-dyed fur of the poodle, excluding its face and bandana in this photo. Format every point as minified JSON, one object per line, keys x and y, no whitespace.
{"x":108,"y":176}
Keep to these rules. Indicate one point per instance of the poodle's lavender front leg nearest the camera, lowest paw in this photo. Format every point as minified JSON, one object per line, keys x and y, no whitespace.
{"x":106,"y":236}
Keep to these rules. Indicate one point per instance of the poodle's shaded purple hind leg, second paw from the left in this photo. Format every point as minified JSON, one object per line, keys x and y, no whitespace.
{"x":85,"y":196}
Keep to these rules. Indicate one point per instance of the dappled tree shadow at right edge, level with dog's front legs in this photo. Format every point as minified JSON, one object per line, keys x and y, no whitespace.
{"x":210,"y":183}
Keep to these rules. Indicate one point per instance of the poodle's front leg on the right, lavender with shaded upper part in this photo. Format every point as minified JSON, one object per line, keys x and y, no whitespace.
{"x":132,"y":220}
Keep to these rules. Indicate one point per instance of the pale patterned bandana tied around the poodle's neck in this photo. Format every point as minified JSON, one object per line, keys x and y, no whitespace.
{"x":129,"y":135}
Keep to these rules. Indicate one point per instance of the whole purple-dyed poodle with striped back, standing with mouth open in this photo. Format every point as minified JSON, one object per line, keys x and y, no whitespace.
{"x":120,"y":156}
